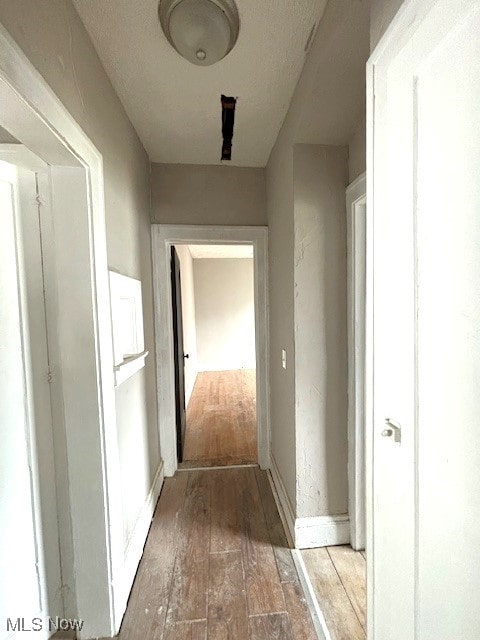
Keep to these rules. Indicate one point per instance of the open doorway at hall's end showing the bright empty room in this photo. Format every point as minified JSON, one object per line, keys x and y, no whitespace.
{"x":213,"y":306}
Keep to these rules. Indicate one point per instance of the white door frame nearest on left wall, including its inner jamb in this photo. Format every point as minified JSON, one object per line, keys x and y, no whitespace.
{"x":84,"y":417}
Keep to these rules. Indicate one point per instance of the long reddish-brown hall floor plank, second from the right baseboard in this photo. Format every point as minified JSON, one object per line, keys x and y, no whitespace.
{"x":264,"y":589}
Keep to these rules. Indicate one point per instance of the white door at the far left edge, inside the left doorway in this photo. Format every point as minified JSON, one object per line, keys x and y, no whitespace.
{"x":30,"y":584}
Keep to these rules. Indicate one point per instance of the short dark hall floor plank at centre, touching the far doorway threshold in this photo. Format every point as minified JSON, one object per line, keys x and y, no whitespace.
{"x":226,"y":523}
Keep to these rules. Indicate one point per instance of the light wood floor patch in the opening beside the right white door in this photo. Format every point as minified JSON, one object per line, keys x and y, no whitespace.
{"x":338,"y":576}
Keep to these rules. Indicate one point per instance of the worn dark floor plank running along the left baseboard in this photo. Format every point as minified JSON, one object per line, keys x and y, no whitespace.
{"x":147,"y":605}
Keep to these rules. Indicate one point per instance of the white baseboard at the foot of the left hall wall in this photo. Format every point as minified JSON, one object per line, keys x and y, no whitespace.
{"x":138,"y":536}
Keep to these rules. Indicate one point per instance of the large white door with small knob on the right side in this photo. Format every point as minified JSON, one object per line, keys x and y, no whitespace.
{"x":424,"y":507}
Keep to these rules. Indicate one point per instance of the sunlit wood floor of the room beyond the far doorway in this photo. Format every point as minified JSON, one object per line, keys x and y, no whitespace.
{"x":221,"y":420}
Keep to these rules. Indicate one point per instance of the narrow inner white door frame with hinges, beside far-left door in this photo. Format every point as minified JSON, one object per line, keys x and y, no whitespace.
{"x":38,"y":399}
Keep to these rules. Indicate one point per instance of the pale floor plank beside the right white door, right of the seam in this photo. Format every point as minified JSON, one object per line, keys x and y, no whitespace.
{"x":351,"y":568}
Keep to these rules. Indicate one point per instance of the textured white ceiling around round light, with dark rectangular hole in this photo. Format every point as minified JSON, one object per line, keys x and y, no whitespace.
{"x":175,"y":105}
